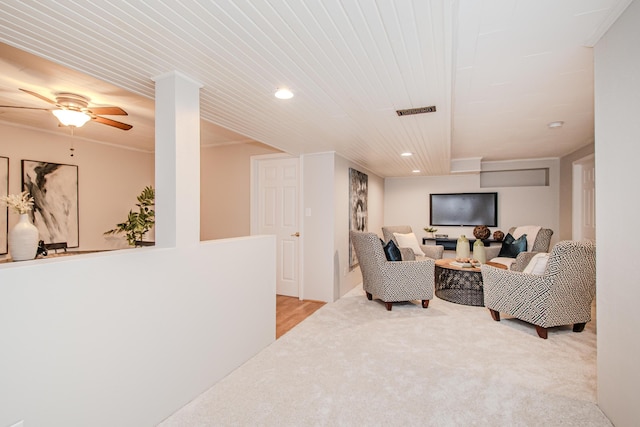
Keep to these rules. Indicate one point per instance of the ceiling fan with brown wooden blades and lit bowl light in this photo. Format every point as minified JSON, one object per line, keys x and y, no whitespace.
{"x":72,"y":110}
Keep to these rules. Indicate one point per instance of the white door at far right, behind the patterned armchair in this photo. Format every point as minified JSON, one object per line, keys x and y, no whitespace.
{"x":584,"y":202}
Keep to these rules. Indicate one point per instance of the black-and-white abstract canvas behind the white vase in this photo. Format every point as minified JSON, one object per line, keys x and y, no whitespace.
{"x":54,"y":188}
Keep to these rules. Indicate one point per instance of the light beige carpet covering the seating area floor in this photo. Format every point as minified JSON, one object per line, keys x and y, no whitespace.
{"x":353,"y":363}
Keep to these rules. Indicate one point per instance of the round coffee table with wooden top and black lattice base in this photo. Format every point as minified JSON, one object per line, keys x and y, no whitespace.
{"x":461,"y":285}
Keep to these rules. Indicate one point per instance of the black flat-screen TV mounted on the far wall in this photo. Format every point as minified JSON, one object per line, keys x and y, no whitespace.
{"x":469,"y":209}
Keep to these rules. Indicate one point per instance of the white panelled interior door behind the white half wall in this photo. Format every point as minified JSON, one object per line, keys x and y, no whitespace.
{"x":278,"y":214}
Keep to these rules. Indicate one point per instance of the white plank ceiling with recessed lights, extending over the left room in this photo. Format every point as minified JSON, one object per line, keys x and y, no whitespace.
{"x":498,"y":71}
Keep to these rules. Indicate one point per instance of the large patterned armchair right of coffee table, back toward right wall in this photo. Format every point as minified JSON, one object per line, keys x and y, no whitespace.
{"x":561,"y":296}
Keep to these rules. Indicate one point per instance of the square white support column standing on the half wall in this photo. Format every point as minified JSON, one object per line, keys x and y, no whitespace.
{"x":177,"y":162}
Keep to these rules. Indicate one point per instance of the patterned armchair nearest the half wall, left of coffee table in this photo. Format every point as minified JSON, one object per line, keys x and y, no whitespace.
{"x":392,"y":281}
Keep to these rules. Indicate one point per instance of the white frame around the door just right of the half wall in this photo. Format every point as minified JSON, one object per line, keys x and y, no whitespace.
{"x":254,"y":194}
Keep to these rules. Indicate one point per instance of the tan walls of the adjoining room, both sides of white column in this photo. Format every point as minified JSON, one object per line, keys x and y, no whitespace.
{"x":107,"y":193}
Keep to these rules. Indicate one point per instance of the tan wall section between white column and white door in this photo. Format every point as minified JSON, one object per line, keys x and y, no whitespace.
{"x":225,"y":174}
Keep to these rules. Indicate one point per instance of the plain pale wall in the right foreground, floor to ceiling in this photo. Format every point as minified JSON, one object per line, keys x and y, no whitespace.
{"x":617,"y":91}
